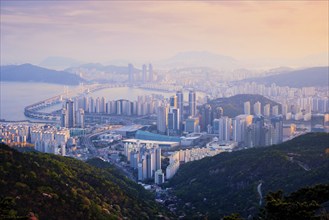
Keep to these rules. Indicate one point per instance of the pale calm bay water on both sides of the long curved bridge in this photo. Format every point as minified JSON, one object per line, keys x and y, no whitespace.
{"x":15,"y":96}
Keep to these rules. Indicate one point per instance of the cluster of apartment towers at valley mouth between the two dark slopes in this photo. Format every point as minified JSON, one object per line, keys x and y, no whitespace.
{"x":146,"y":159}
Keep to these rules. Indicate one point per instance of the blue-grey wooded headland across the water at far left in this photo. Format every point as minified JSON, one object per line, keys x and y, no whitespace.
{"x":29,"y":72}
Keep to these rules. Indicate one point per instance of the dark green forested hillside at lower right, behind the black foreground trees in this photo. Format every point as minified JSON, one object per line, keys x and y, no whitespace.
{"x":227,"y":183}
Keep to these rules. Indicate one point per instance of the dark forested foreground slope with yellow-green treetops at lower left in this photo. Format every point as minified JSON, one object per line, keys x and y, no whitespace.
{"x":55,"y":187}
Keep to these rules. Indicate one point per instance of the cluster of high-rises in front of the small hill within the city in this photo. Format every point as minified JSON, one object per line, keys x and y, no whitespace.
{"x":263,"y":127}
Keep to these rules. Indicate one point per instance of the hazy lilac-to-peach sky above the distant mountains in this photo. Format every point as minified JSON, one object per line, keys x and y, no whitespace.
{"x":147,"y":30}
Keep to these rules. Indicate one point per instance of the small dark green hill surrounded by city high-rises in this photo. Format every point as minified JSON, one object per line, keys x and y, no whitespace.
{"x":234,"y":105}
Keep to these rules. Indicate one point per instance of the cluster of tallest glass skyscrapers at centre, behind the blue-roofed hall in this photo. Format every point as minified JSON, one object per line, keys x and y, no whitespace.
{"x":171,"y":115}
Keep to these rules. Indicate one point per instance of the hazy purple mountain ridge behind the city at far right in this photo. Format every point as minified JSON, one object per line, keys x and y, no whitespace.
{"x":315,"y":76}
